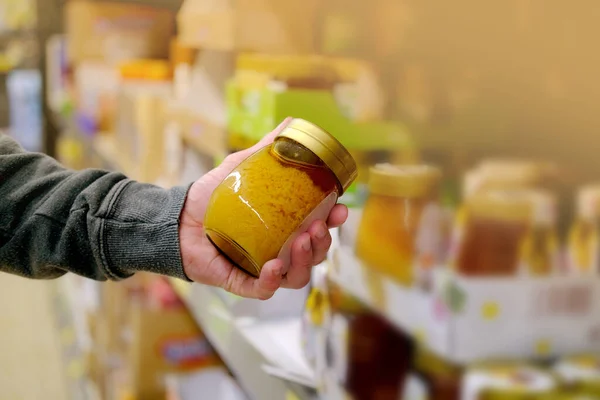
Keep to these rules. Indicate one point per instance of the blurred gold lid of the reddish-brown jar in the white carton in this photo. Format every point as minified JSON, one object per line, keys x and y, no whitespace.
{"x":501,"y":204}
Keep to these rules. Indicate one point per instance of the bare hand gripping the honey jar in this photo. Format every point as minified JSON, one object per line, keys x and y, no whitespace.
{"x":203,"y":263}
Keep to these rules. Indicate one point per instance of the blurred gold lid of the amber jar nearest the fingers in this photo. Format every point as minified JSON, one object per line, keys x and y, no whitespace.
{"x":403,"y":180}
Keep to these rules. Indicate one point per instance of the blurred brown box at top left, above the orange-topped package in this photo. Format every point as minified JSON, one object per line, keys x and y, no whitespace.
{"x":111,"y":32}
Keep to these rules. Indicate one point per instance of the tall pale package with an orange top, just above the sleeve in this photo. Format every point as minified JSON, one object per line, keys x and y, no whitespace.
{"x":140,"y":126}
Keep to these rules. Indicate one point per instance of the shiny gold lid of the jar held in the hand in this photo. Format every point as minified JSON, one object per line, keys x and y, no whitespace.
{"x":326,"y":147}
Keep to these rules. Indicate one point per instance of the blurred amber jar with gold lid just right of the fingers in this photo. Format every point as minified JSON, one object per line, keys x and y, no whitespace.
{"x":387,"y":234}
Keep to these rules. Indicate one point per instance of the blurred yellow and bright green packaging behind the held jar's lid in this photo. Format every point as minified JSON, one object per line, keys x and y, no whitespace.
{"x":340,"y":95}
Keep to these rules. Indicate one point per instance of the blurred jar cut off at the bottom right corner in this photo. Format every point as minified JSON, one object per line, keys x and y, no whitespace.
{"x":580,"y":374}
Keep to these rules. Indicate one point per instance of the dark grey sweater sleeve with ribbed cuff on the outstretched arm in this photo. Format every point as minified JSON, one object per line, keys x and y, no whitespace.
{"x":94,"y":223}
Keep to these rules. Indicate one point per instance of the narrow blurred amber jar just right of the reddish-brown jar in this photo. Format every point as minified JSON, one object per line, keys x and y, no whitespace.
{"x":540,"y":246}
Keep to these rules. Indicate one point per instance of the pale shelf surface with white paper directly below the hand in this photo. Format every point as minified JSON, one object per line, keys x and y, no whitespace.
{"x":265,"y":356}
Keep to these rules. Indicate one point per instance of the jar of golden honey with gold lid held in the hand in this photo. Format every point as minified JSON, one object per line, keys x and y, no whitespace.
{"x":274,"y":195}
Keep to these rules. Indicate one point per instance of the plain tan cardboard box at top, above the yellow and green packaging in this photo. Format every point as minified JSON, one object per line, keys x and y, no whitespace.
{"x":250,"y":25}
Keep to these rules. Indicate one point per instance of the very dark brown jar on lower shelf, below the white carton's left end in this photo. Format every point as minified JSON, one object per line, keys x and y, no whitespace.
{"x":367,"y":357}
